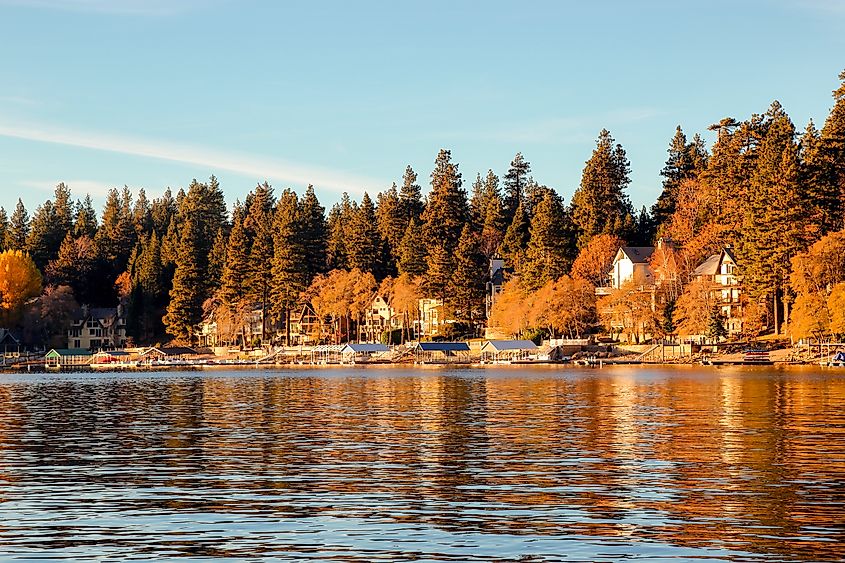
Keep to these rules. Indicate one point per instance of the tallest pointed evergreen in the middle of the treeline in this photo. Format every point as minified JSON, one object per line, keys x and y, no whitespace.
{"x":447,"y":208}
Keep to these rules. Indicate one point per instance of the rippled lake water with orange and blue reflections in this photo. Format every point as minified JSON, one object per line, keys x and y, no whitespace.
{"x":388,"y":464}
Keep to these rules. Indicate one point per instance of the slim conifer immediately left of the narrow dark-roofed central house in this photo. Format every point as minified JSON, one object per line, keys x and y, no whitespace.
{"x":467,"y":283}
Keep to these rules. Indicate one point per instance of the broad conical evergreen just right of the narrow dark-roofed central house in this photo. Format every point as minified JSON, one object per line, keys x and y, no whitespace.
{"x":549,"y":255}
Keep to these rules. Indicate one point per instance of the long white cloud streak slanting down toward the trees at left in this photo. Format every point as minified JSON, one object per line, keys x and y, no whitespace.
{"x":256,"y":167}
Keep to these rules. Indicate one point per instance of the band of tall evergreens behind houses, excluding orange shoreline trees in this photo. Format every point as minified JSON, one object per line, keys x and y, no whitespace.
{"x":762,"y":187}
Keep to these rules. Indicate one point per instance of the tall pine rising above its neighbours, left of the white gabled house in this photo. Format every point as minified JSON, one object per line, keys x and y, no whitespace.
{"x":600,"y":204}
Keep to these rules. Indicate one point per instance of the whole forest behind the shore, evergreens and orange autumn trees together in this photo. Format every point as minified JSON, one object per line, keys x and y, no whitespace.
{"x":772,"y":193}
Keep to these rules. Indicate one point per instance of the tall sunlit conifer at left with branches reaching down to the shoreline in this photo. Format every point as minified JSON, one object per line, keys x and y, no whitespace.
{"x":184,"y":312}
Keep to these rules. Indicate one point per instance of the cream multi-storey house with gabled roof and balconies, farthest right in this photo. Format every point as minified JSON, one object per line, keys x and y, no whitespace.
{"x":721,"y":271}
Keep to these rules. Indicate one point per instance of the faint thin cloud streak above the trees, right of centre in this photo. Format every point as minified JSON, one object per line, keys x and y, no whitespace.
{"x":557,"y":129}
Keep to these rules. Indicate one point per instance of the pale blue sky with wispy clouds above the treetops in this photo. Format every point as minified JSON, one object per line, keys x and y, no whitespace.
{"x":102,"y":93}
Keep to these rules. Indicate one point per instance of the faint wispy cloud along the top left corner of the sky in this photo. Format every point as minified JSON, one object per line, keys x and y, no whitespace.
{"x":112,"y":7}
